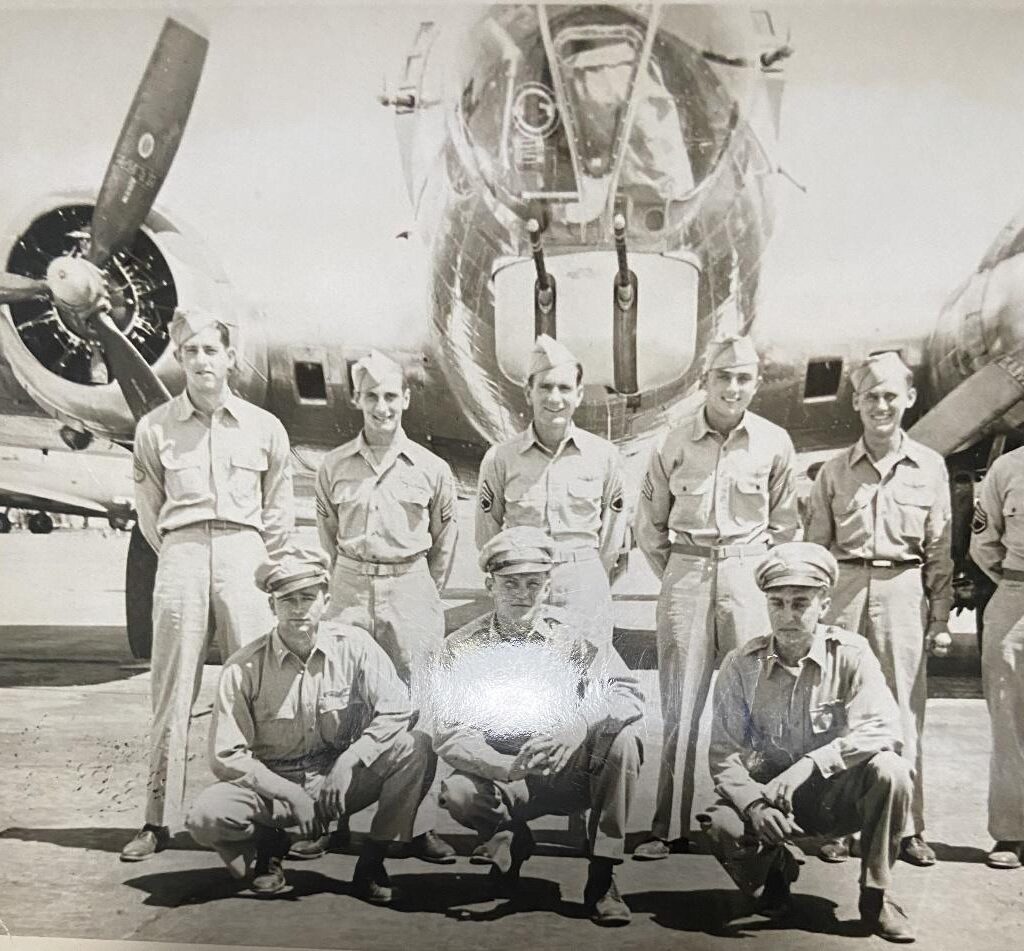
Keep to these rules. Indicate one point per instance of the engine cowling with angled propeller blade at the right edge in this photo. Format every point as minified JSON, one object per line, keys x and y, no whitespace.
{"x":975,"y":357}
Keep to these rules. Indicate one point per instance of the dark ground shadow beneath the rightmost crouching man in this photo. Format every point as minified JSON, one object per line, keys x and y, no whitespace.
{"x":728,"y":914}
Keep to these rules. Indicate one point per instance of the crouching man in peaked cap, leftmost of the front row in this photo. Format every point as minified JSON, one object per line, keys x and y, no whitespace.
{"x":312,"y":722}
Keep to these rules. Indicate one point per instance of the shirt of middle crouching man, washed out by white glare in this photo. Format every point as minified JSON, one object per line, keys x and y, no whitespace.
{"x":478,"y":688}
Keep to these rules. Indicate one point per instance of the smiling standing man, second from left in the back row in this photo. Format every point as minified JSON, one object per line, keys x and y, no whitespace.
{"x":386,"y":511}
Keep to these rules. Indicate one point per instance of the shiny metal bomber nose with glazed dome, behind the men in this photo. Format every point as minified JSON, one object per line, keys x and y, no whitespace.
{"x":658,"y":132}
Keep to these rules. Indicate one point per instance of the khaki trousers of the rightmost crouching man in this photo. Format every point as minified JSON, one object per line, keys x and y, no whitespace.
{"x":873,"y":797}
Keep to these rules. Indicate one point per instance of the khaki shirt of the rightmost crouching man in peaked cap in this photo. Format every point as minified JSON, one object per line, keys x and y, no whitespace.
{"x":836,"y":710}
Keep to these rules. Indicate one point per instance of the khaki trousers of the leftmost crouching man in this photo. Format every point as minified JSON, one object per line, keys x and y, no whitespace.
{"x":225,"y":816}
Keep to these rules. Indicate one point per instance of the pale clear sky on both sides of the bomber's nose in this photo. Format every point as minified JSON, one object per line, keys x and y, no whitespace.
{"x":903,"y":121}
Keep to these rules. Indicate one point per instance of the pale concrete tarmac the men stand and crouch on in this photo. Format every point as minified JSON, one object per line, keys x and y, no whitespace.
{"x":74,"y":715}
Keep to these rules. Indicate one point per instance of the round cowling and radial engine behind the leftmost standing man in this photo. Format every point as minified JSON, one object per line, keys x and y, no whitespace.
{"x":166,"y":267}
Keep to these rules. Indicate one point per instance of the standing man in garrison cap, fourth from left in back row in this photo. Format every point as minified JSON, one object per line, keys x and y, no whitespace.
{"x":722,"y":484}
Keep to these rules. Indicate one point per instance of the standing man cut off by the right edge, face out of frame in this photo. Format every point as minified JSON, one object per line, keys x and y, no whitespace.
{"x":998,"y":548}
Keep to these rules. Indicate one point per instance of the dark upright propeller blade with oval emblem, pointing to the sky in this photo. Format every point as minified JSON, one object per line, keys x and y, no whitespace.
{"x":149,"y":140}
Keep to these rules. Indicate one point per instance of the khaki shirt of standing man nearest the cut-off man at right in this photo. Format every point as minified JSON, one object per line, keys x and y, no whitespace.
{"x":858,"y":512}
